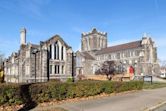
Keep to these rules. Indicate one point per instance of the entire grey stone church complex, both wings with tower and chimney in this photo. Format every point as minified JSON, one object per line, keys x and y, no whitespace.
{"x":54,"y":58}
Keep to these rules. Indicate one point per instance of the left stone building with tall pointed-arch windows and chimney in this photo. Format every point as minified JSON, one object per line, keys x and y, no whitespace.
{"x":51,"y":59}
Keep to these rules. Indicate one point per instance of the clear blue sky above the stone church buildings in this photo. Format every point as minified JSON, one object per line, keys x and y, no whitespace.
{"x":123,"y":20}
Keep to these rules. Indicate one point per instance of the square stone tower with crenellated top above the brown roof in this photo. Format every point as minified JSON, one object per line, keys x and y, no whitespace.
{"x":93,"y":40}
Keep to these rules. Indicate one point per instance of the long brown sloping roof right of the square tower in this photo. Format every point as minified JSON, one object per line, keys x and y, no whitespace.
{"x":116,"y":48}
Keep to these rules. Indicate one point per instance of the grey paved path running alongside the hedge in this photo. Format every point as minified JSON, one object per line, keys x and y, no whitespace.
{"x":136,"y":101}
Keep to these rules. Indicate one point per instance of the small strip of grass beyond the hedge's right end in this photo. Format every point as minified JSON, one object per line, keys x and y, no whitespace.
{"x":153,"y":85}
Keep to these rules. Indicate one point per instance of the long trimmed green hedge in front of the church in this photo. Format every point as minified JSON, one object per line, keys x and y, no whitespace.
{"x":41,"y":92}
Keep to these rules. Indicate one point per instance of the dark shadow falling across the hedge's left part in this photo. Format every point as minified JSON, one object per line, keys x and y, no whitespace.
{"x":26,"y":97}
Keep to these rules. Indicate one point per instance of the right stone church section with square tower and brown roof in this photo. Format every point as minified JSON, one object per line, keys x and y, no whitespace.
{"x":140,"y":54}
